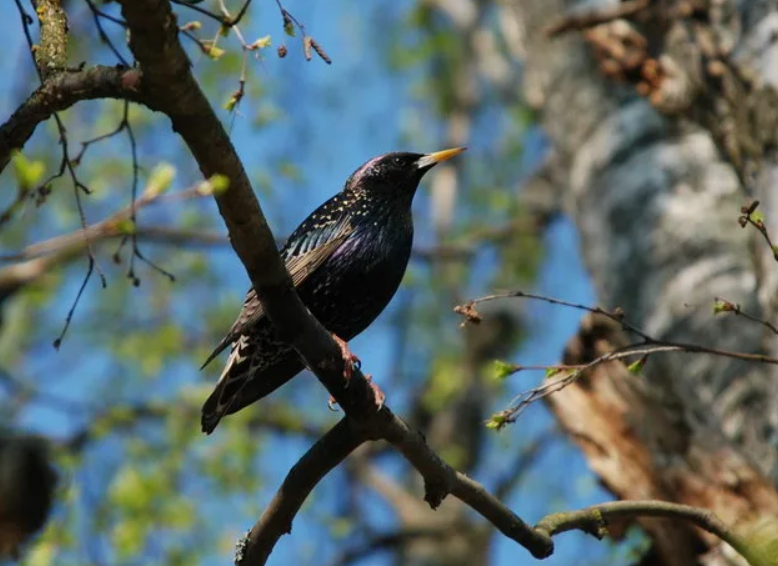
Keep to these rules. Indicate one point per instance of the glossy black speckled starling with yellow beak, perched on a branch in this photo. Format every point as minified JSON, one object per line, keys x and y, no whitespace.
{"x":346,"y":261}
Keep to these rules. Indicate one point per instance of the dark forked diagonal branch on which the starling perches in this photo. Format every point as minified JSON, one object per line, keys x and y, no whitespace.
{"x":169,"y":82}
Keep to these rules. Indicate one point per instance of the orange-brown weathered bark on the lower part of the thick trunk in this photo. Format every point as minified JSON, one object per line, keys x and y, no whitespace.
{"x":646,"y":445}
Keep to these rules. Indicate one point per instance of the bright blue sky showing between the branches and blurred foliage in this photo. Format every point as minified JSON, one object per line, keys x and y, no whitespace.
{"x":333,"y":118}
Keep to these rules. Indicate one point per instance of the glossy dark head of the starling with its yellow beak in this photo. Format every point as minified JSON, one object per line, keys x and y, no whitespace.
{"x":395,"y":174}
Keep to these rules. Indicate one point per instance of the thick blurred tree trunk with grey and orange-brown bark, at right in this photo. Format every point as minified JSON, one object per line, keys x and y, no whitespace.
{"x":656,"y":200}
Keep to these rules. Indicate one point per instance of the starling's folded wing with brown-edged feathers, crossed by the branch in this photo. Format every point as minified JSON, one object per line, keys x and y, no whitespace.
{"x":305,"y":261}
